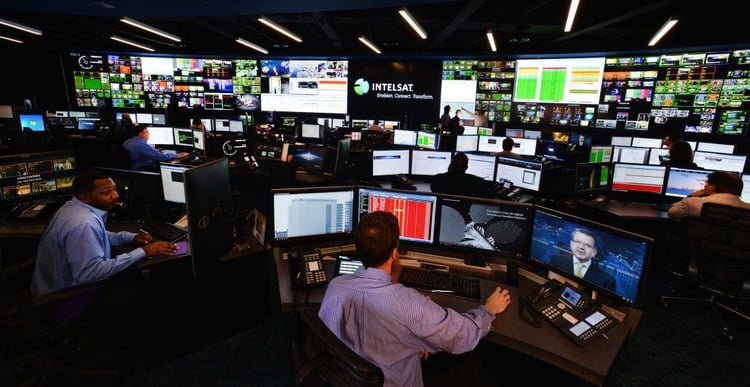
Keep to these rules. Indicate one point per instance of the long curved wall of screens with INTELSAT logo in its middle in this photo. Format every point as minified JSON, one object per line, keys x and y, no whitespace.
{"x":692,"y":92}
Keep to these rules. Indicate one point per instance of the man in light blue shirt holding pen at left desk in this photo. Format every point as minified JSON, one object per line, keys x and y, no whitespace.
{"x":75,"y":247}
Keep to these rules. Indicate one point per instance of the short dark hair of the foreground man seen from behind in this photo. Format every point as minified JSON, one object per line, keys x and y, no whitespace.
{"x":376,"y":237}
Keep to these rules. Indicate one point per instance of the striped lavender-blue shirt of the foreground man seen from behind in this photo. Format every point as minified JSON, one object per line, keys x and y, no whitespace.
{"x":389,"y":324}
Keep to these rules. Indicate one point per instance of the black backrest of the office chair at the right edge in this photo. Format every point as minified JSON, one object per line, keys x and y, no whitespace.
{"x":719,"y":249}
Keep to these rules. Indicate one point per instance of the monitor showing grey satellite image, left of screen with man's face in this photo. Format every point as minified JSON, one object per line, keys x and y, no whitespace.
{"x":484,"y":230}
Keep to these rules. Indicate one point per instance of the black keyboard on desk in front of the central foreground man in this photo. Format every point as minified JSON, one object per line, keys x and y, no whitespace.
{"x":441,"y":282}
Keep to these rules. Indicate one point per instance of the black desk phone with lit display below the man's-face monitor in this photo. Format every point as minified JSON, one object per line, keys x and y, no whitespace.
{"x":571,"y":312}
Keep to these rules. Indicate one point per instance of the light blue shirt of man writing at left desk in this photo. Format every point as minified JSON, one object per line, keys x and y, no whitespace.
{"x":75,"y":249}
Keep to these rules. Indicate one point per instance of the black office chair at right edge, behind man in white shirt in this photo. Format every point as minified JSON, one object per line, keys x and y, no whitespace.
{"x":715,"y":262}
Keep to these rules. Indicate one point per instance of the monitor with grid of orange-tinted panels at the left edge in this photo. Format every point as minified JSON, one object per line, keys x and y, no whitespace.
{"x":27,"y":176}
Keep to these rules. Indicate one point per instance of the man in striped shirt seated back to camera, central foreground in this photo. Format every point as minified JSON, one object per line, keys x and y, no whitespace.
{"x":390,"y":324}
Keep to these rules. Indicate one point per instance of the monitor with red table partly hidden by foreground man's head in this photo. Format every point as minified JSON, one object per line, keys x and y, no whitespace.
{"x":416,"y":211}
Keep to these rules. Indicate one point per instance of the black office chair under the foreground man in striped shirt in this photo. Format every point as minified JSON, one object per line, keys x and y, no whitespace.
{"x":323,"y":360}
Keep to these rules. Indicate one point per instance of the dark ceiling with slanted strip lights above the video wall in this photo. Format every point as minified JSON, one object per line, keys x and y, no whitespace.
{"x":329,"y":28}
